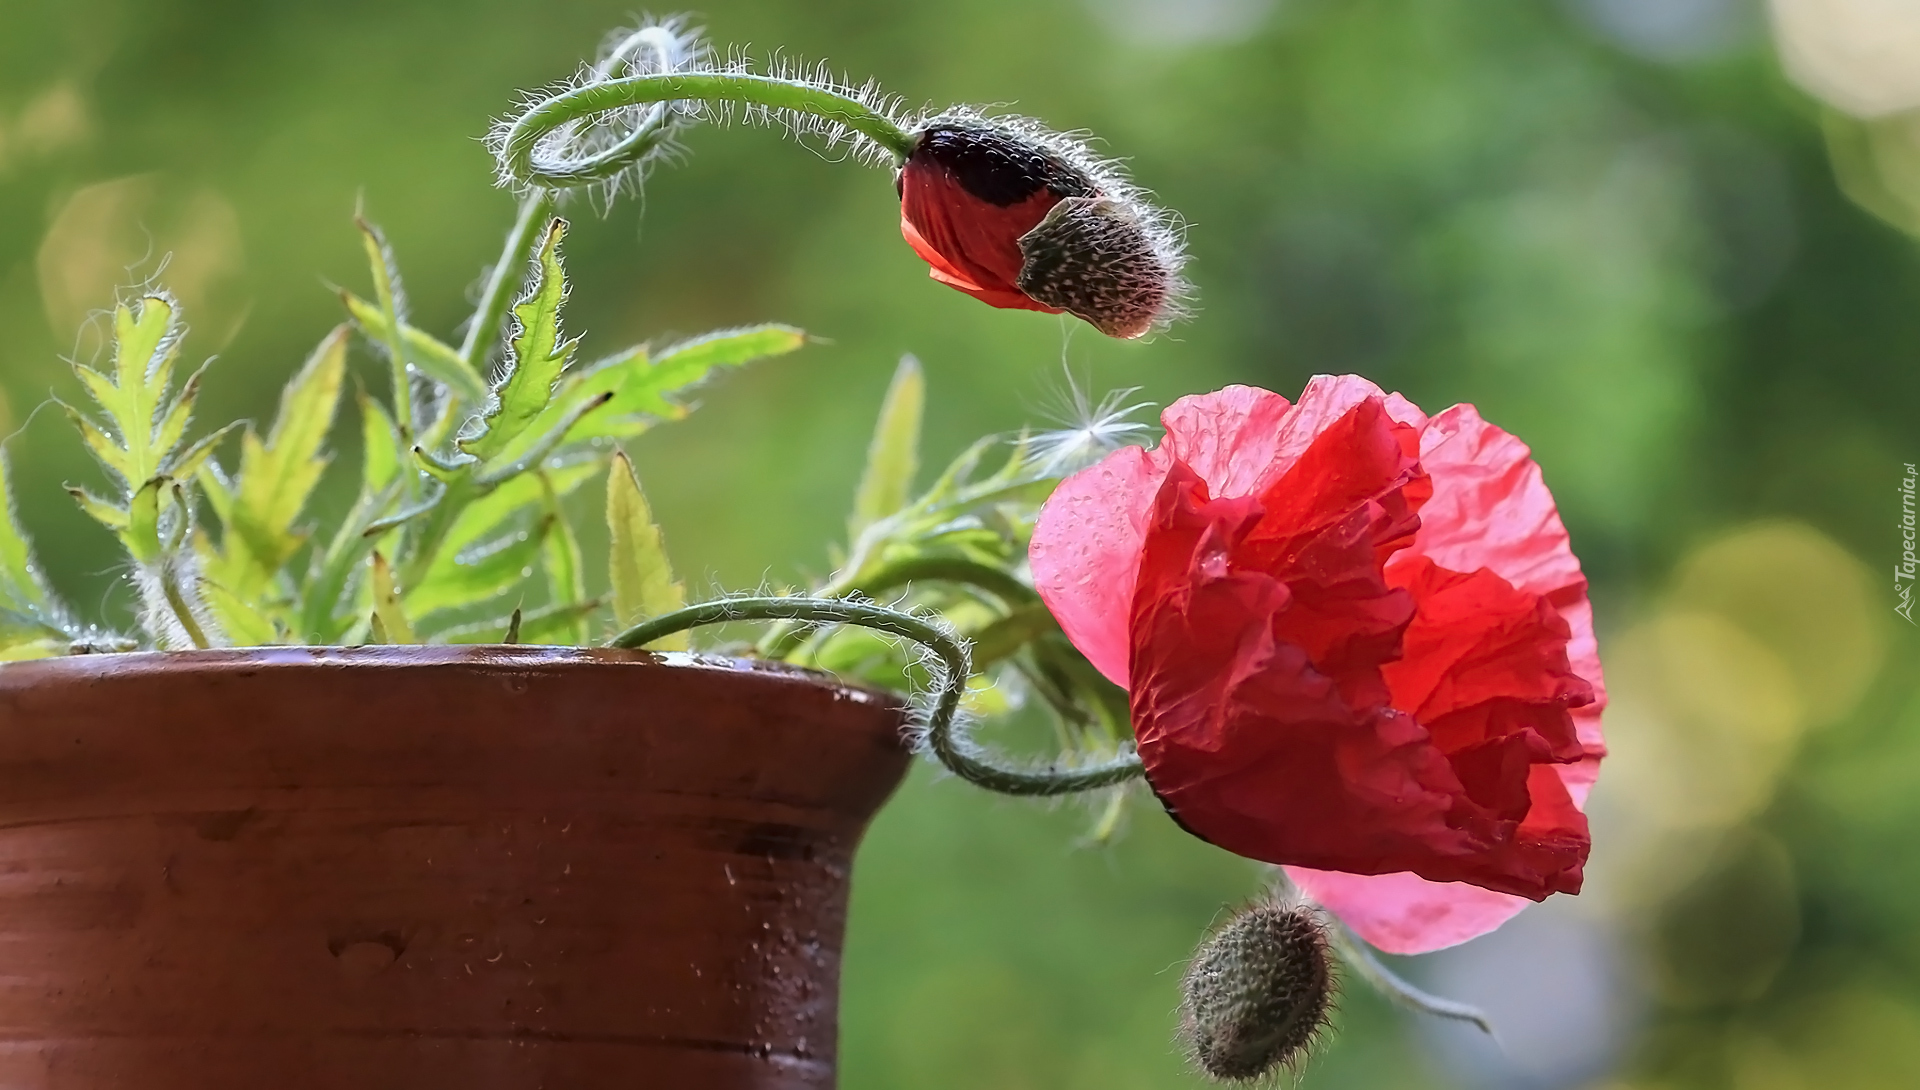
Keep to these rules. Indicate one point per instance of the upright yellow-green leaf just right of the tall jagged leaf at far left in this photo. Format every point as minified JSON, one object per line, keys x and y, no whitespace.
{"x":279,"y":475}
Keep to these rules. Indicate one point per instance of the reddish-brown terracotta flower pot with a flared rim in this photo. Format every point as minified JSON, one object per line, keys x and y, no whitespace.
{"x":427,"y":868}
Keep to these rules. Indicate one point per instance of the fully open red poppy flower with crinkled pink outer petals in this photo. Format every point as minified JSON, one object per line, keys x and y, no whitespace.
{"x":1356,"y":642}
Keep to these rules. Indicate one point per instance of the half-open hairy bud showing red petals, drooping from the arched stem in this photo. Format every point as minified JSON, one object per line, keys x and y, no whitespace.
{"x":1028,"y":220}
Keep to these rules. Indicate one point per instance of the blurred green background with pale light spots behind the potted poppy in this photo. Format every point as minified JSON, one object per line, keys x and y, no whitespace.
{"x":1623,"y":227}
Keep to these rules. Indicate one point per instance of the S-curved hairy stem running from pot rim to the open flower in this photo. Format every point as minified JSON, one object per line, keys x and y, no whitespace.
{"x":946,"y":738}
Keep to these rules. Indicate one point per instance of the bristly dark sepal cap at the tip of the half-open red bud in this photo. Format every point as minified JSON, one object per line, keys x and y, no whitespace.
{"x":1095,"y":260}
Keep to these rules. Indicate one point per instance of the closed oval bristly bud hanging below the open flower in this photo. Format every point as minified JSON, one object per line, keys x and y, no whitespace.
{"x":1259,"y":991}
